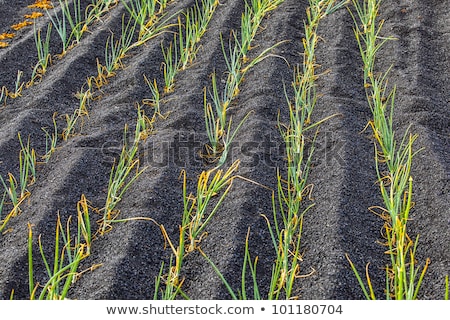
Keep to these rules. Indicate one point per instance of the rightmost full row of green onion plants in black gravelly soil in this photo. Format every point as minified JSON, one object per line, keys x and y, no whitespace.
{"x":393,"y":161}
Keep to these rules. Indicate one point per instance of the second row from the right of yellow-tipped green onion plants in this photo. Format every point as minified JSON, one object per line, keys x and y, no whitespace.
{"x":291,"y":200}
